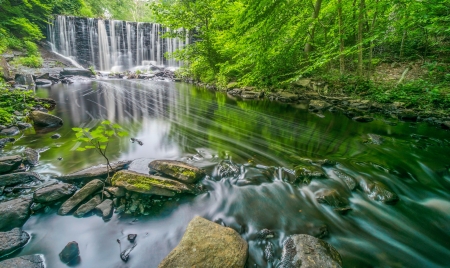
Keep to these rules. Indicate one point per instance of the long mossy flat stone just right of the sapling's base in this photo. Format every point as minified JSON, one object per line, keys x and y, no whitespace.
{"x":149,"y":184}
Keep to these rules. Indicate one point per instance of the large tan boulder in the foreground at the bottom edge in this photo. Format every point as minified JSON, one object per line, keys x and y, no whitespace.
{"x":208,"y":244}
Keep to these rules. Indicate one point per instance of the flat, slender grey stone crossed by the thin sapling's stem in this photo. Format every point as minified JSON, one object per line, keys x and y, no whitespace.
{"x":94,"y":172}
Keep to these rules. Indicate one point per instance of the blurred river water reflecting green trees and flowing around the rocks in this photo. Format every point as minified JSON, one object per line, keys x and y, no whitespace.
{"x":180,"y":121}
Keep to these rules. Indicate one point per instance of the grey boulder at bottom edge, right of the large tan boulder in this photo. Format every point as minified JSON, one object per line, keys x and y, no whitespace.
{"x":305,"y":251}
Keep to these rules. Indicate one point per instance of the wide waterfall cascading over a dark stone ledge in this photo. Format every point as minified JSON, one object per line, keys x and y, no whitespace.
{"x":112,"y":45}
